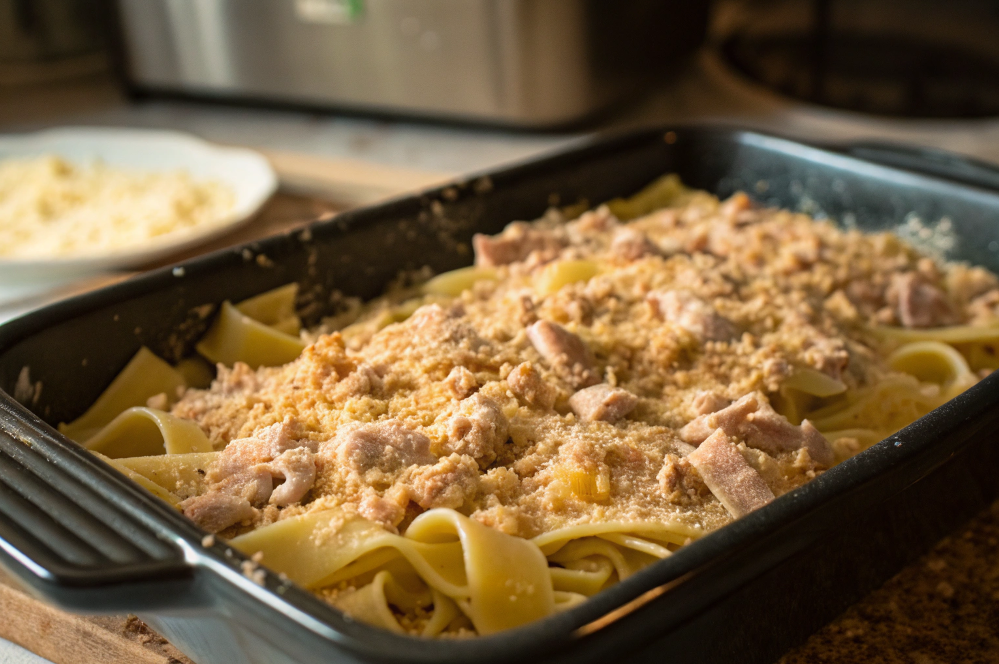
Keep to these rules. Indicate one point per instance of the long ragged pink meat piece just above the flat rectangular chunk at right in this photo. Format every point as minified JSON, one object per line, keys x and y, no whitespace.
{"x":753,"y":420}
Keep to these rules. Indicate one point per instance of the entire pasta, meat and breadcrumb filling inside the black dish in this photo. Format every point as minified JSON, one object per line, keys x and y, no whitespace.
{"x":501,"y":442}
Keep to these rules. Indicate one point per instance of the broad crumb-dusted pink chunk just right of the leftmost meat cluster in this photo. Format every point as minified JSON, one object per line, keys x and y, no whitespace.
{"x":388,"y":446}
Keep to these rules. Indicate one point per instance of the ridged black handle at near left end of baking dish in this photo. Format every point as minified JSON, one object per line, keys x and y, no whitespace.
{"x":73,"y":532}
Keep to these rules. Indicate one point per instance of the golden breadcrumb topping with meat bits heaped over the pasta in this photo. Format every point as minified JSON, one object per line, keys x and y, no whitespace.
{"x":467,"y":402}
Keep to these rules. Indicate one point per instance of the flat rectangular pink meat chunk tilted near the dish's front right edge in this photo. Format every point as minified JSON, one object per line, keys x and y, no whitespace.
{"x":731,"y":479}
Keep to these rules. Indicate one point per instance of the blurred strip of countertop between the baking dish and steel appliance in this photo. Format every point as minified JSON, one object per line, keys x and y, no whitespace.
{"x":702,"y":92}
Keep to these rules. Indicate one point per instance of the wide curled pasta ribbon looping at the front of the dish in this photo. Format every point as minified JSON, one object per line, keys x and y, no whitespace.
{"x":499,"y":581}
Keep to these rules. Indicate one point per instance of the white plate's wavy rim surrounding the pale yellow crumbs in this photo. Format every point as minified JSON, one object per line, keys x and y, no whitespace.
{"x":247,"y":173}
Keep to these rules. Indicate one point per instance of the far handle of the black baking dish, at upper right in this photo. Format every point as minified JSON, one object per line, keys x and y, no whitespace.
{"x":929,"y":161}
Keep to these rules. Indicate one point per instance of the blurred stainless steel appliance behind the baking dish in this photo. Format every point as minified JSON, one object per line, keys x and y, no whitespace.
{"x":517,"y":62}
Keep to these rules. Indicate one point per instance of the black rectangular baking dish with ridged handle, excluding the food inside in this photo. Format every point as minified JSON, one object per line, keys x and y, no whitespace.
{"x":87,"y":539}
